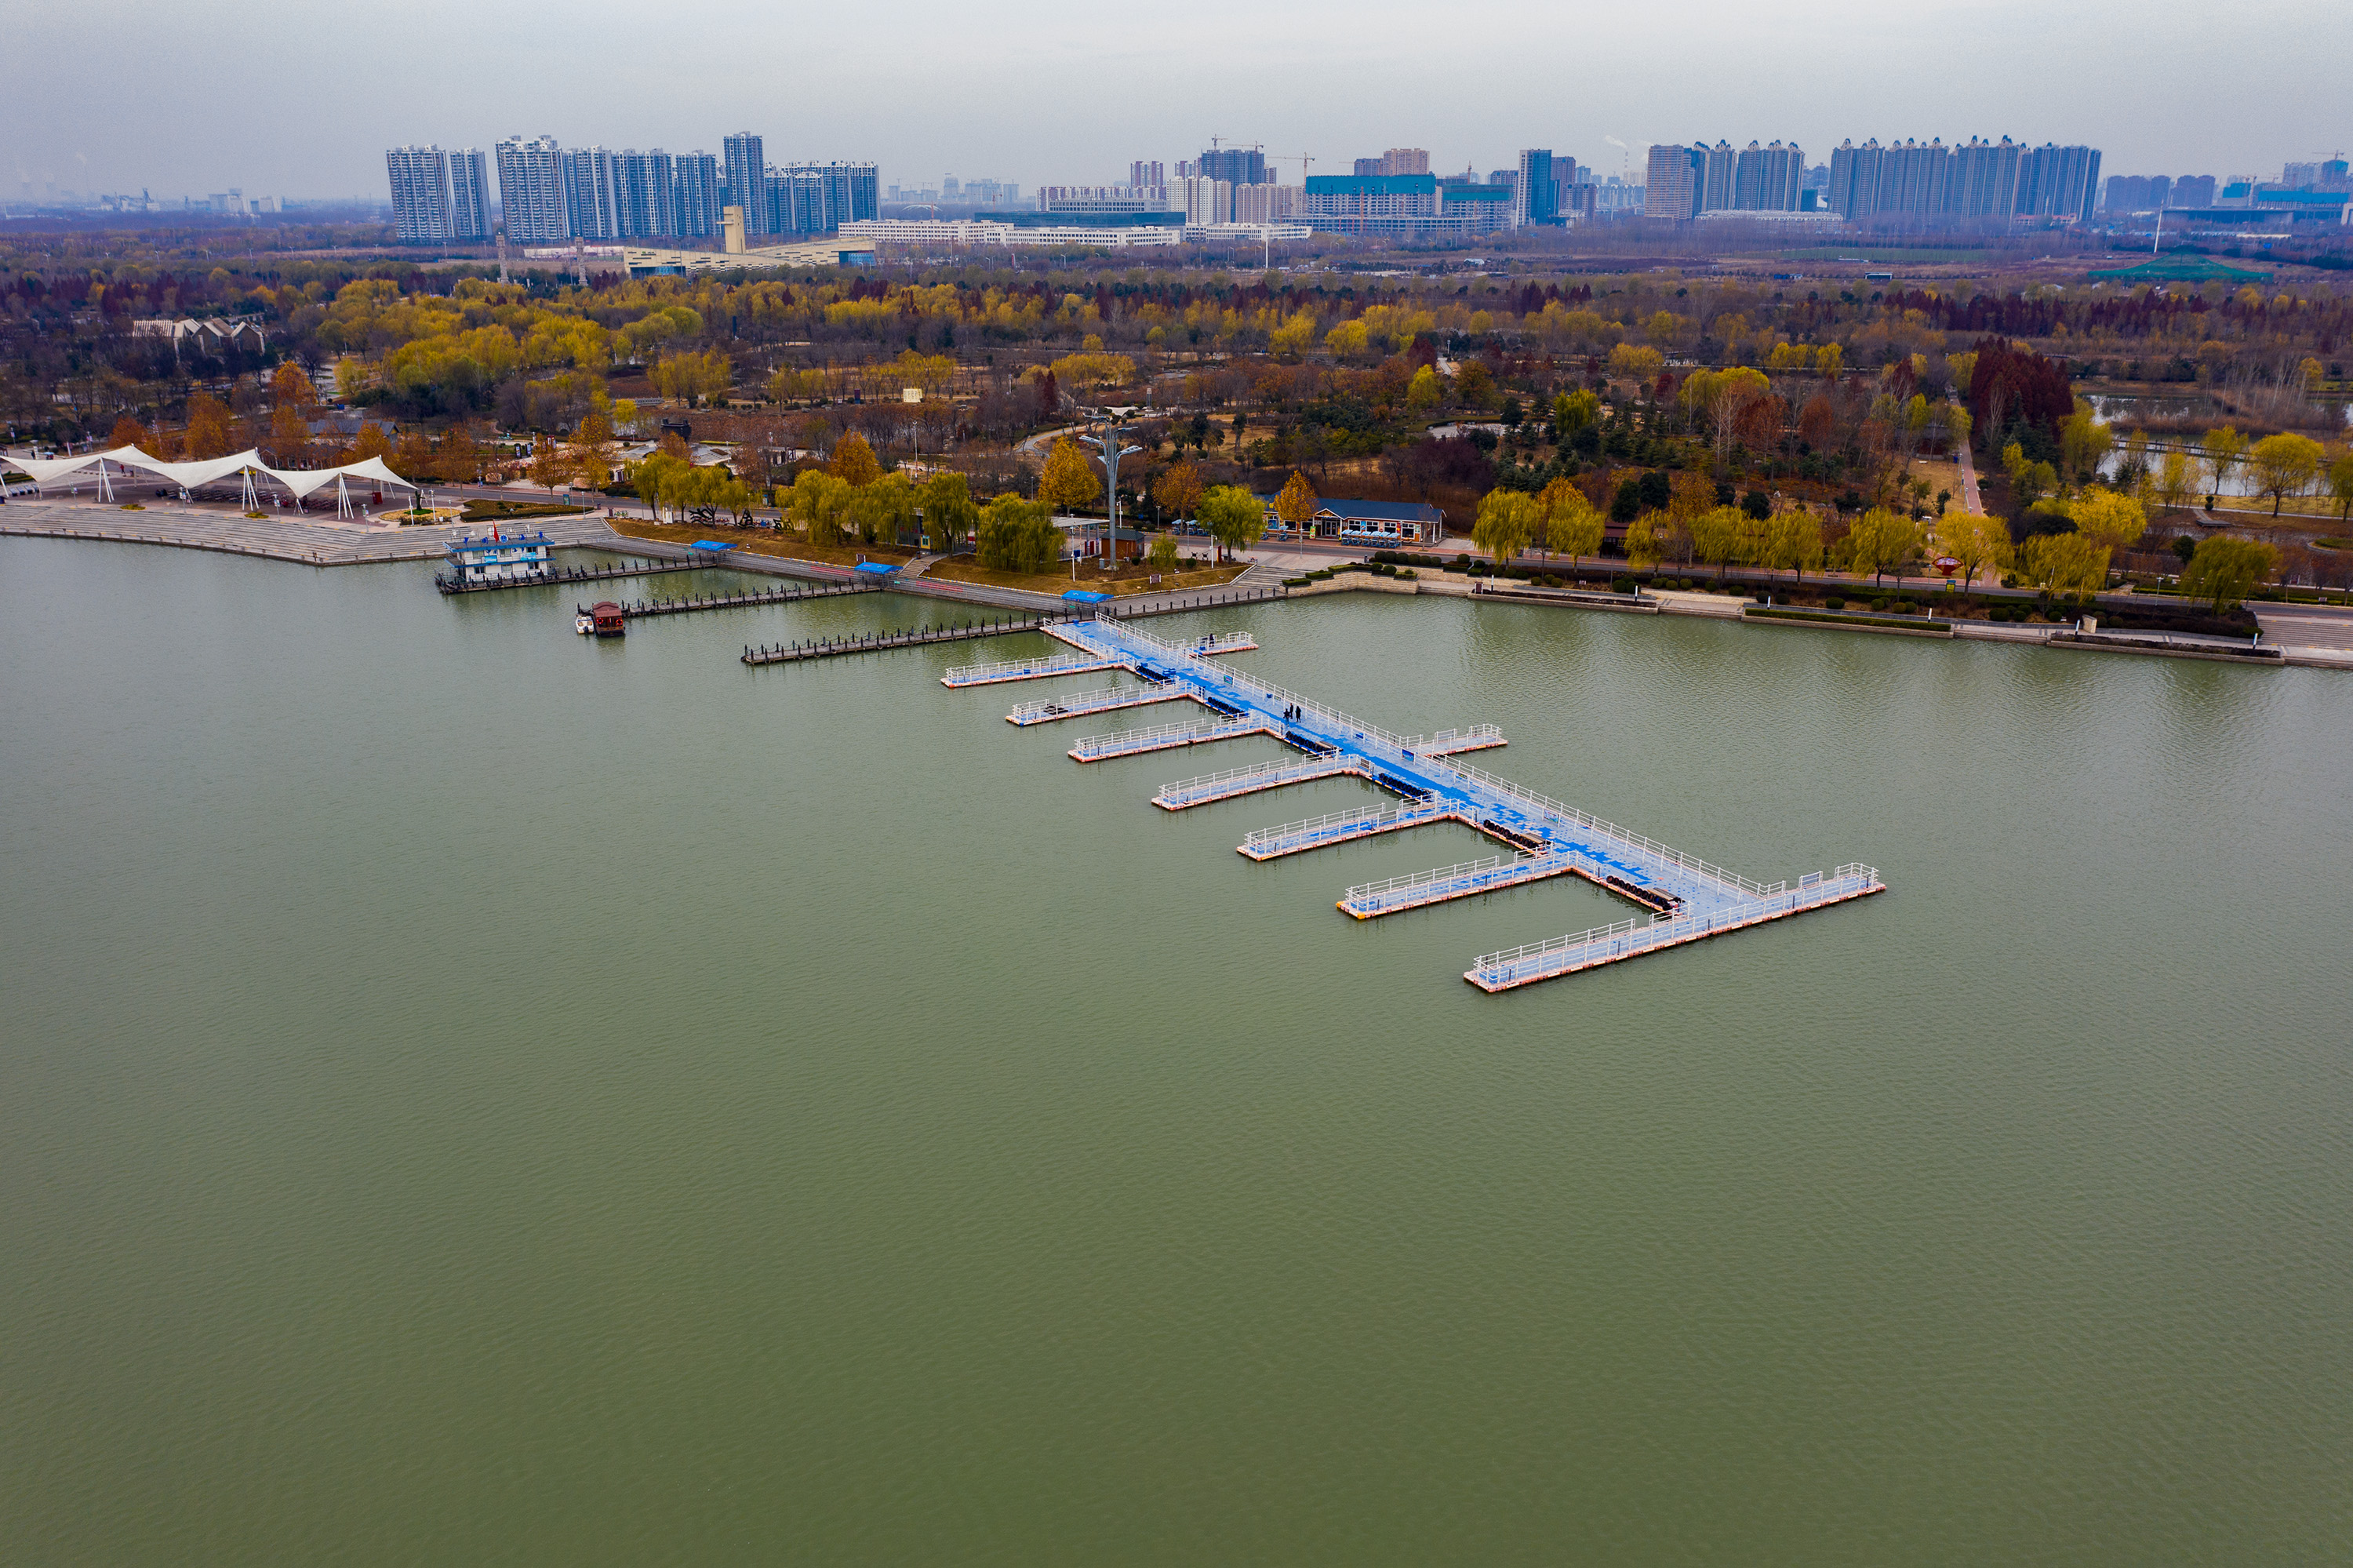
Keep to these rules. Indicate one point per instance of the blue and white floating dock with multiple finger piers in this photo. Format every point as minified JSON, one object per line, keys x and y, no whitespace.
{"x":1686,"y":898}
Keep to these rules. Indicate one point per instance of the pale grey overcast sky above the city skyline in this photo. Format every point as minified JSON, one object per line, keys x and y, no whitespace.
{"x":302,"y":100}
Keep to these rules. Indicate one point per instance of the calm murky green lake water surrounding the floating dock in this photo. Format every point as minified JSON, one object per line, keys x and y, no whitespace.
{"x":472,"y":1094}
